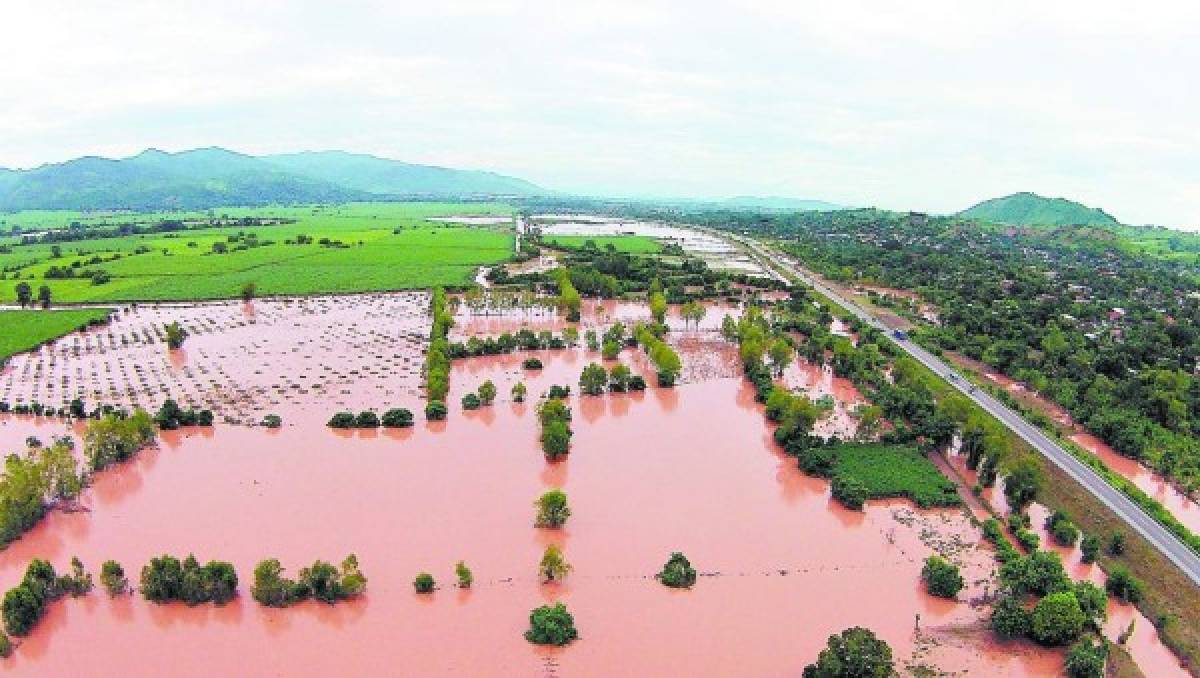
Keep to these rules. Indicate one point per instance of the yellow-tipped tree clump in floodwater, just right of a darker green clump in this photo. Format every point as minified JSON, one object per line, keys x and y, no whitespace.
{"x":321,"y":581}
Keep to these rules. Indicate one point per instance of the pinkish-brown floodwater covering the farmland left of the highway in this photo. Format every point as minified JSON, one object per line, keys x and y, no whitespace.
{"x":693,"y":469}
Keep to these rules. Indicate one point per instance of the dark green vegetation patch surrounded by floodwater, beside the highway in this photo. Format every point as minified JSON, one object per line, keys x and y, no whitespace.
{"x":896,"y":471}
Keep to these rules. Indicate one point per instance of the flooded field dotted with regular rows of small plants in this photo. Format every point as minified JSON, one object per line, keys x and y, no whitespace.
{"x":242,"y":361}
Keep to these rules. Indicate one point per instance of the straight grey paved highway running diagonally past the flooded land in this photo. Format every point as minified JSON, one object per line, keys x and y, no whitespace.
{"x":1138,"y":520}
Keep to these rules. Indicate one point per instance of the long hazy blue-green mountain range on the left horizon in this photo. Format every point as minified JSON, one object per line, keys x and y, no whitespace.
{"x":214,"y":177}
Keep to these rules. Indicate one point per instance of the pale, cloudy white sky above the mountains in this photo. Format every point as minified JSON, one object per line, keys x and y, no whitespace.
{"x":923,"y":106}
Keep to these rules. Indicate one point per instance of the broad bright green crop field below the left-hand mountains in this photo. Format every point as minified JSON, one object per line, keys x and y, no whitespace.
{"x":371,"y":248}
